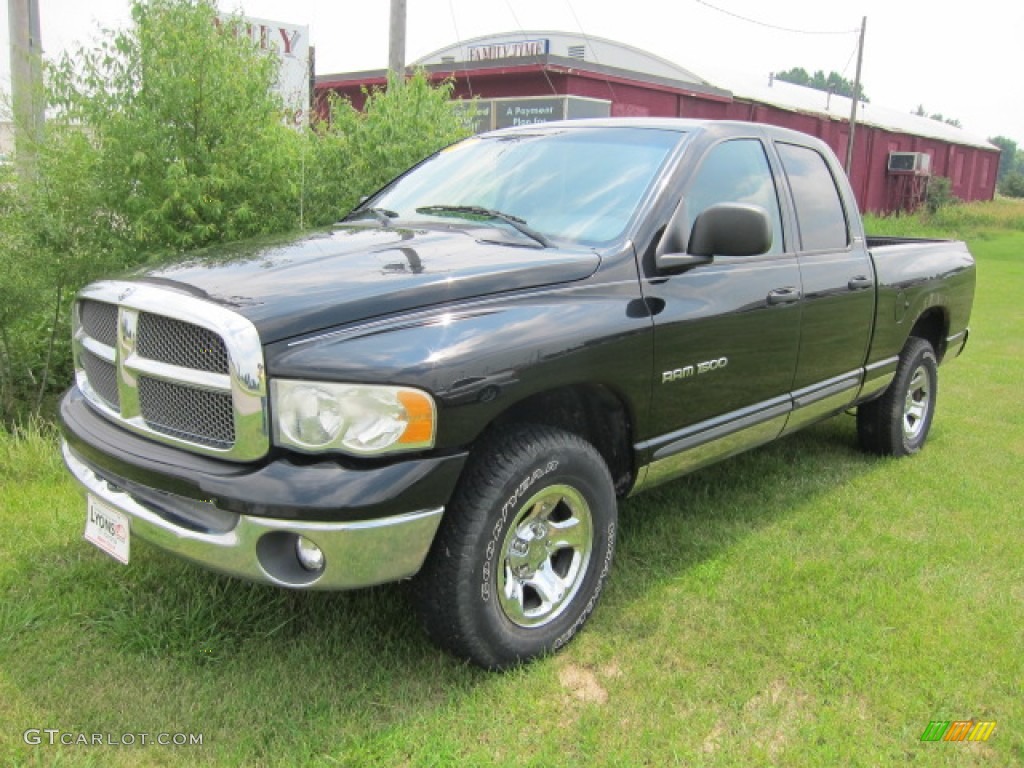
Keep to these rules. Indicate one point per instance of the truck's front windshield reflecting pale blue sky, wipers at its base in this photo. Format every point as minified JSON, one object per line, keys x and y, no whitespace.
{"x":576,"y":185}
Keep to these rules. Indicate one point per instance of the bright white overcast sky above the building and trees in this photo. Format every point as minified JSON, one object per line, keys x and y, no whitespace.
{"x":961,"y":60}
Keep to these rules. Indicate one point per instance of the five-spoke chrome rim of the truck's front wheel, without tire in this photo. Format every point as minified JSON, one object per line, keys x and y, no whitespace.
{"x":545,"y":557}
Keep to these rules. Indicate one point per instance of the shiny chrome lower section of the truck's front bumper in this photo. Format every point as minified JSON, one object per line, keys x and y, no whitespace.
{"x":263,"y":549}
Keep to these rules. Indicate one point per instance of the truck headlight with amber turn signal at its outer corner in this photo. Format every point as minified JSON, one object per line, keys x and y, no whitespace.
{"x":359,"y":419}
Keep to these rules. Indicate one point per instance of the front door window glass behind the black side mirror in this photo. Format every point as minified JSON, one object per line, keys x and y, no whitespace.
{"x":737,"y":172}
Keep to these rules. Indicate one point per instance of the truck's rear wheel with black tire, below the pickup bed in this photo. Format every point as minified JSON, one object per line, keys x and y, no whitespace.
{"x":899,"y":422}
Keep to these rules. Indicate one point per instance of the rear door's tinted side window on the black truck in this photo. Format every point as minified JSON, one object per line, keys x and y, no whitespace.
{"x":820,"y":209}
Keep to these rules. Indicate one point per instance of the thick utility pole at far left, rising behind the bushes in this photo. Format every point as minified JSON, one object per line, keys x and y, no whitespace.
{"x":26,"y":79}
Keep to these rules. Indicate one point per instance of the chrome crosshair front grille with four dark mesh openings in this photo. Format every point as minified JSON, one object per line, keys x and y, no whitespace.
{"x":179,"y":369}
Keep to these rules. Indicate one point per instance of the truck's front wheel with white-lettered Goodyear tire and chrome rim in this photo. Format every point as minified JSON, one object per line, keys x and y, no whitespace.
{"x":524,"y":550}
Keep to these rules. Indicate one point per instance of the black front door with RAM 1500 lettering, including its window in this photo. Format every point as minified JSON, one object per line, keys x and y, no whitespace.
{"x":728,"y":336}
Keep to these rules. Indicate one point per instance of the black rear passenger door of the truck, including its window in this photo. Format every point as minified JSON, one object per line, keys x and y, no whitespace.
{"x":838,"y":280}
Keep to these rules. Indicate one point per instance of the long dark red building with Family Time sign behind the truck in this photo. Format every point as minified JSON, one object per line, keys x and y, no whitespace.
{"x":530,"y":77}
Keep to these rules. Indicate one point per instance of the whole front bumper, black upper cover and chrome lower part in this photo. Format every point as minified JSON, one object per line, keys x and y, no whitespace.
{"x":374,"y":523}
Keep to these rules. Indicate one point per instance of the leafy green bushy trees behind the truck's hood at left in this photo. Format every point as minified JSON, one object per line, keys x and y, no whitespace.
{"x":166,"y":137}
